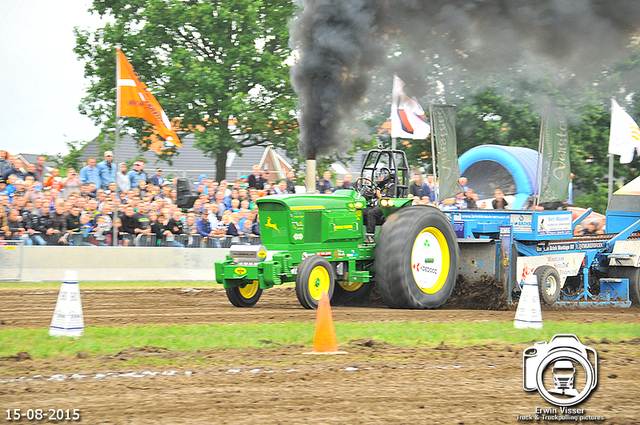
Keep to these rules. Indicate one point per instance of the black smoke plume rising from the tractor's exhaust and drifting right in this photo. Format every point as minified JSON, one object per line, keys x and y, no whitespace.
{"x":340,"y":43}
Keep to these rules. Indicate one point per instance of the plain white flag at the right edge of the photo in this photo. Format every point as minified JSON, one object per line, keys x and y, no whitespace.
{"x":624,"y":135}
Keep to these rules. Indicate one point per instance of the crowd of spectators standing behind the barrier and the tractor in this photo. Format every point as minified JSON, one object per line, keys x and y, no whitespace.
{"x":41,"y":207}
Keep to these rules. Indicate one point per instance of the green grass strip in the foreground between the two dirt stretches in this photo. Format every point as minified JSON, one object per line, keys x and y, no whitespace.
{"x":184,"y":338}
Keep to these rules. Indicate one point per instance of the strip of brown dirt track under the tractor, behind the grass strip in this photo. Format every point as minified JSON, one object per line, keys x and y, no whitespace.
{"x":29,"y":309}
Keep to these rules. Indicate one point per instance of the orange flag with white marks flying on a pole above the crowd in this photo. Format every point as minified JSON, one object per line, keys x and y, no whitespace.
{"x":134,"y":100}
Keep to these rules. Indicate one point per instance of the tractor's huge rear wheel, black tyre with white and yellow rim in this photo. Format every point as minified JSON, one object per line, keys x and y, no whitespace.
{"x":416,"y":258}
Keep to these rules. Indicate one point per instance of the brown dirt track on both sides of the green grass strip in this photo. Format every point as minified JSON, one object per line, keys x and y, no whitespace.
{"x":374,"y":383}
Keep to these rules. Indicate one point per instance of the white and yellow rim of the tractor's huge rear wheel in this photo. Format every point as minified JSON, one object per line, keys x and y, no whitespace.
{"x":430,"y":260}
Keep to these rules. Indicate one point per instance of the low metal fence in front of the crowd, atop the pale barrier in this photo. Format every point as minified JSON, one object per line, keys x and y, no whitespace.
{"x":126,"y":239}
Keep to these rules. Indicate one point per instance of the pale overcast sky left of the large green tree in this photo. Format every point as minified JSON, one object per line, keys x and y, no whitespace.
{"x":41,"y":80}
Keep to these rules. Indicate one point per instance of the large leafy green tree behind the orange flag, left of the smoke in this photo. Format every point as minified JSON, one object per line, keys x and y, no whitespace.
{"x":220,"y":67}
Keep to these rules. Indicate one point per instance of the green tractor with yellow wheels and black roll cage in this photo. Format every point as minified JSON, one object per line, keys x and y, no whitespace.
{"x":319,"y":241}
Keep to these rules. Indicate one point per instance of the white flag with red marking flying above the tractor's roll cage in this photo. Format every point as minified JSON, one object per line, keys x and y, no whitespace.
{"x":408,"y":119}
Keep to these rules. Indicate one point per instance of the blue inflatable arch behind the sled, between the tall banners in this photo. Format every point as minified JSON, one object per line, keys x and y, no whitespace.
{"x":509,"y":168}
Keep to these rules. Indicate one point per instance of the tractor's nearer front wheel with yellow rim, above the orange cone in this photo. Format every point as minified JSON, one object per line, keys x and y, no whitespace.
{"x":315,"y":276}
